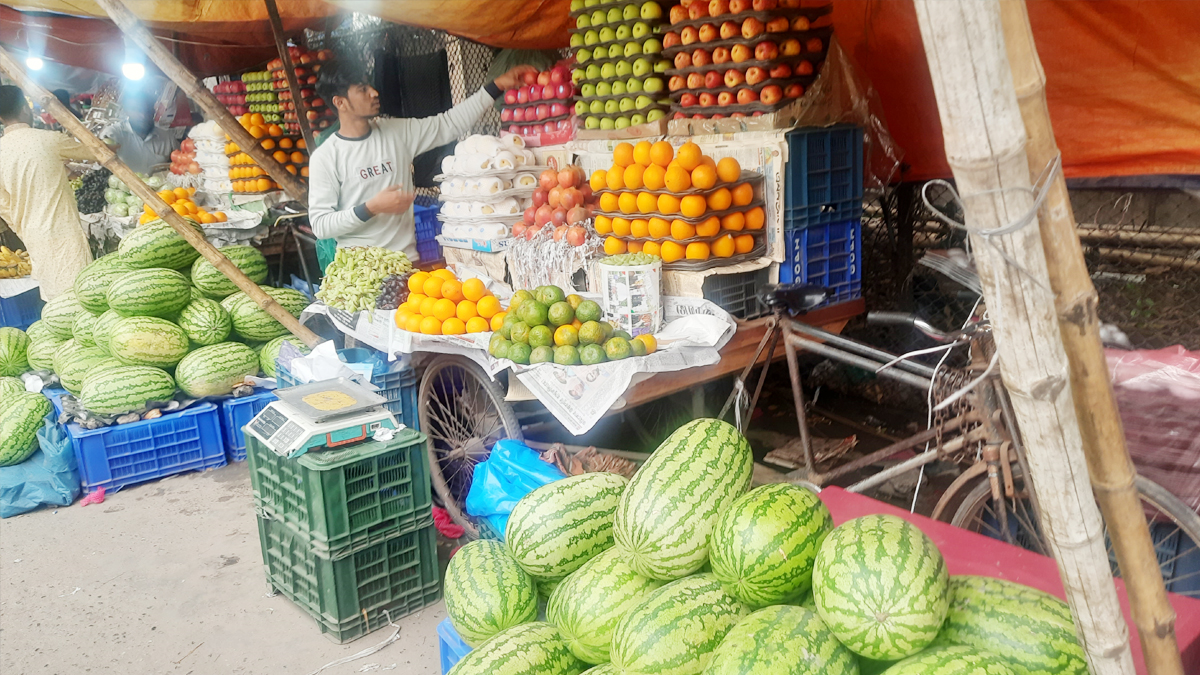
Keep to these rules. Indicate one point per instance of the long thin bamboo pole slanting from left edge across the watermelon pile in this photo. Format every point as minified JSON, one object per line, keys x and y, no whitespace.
{"x":110,"y":160}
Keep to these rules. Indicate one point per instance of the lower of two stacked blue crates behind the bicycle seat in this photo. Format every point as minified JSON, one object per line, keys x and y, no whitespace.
{"x":826,"y":255}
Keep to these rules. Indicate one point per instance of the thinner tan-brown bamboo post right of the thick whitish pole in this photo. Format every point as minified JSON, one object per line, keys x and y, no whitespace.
{"x":1100,"y":423}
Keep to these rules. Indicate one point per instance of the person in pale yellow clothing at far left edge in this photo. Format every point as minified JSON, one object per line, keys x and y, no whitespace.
{"x":37,"y":199}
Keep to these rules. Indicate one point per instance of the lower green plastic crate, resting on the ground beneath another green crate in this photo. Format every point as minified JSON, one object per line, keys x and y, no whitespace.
{"x":349,"y":596}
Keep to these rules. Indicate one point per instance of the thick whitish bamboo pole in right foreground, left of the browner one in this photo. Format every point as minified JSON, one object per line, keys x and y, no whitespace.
{"x":986,"y":147}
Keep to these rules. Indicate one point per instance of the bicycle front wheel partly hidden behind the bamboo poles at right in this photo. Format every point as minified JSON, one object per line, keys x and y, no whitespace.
{"x":1174,"y":528}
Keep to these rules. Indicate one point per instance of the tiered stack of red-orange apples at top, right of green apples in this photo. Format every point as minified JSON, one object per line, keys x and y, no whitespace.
{"x":742,"y":58}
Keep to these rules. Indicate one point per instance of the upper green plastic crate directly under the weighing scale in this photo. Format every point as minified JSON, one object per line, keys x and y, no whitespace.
{"x":344,"y":500}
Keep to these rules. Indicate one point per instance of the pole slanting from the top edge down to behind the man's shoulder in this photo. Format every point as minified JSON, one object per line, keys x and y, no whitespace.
{"x":171,"y":67}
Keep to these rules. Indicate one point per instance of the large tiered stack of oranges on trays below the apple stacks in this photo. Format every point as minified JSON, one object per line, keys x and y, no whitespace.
{"x":659,"y":224}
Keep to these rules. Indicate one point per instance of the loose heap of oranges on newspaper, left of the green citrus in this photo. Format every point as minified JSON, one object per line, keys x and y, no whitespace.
{"x":440,"y":304}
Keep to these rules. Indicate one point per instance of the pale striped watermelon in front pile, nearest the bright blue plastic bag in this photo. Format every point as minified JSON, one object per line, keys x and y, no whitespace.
{"x":557,"y":528}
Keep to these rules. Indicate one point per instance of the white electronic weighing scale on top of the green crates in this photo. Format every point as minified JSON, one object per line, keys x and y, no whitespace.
{"x":321,"y":416}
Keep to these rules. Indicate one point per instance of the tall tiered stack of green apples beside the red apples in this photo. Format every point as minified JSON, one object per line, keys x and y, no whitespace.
{"x":620,"y":64}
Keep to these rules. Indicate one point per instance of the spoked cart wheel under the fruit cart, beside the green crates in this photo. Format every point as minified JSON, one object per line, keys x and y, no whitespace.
{"x":464,"y":413}
